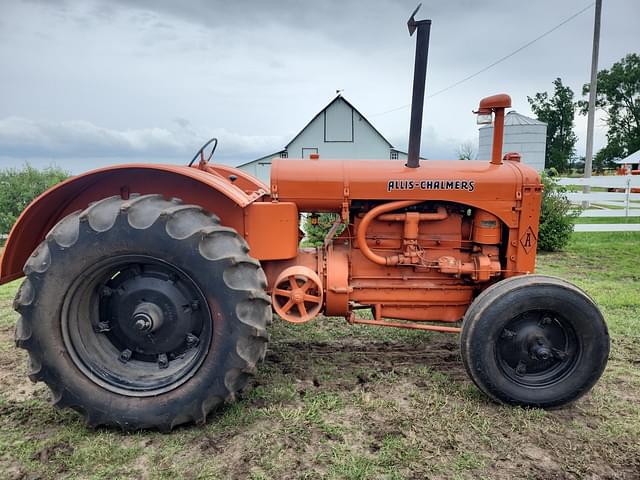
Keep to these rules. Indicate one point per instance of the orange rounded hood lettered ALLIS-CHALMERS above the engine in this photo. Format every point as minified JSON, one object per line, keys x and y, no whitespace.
{"x":316,"y":185}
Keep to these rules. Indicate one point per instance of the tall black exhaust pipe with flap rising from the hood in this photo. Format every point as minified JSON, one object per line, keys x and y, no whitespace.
{"x":419,"y":81}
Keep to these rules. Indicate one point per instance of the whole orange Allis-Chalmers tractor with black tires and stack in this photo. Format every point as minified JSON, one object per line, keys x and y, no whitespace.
{"x":149,"y":288}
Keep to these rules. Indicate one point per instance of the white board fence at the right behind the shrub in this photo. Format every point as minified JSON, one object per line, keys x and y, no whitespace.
{"x":621,"y":202}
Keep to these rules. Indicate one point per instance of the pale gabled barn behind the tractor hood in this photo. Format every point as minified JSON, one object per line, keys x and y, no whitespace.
{"x":338,"y":131}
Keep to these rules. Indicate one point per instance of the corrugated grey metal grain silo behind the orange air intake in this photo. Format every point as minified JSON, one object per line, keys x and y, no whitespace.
{"x":524,"y":135}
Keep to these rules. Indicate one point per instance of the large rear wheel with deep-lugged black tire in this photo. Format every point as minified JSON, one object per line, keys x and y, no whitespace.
{"x":142,"y":313}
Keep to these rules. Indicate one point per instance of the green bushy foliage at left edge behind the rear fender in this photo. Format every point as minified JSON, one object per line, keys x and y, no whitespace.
{"x":18,"y":187}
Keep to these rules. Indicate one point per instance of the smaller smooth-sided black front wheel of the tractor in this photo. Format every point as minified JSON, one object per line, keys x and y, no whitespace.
{"x":534,"y":341}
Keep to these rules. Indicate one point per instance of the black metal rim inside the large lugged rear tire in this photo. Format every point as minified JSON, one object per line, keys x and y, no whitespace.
{"x":136,"y":325}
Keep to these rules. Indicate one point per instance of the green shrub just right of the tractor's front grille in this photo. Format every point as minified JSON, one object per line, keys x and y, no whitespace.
{"x":557,"y":216}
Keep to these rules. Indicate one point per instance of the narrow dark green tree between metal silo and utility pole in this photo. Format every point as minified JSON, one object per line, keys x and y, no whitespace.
{"x":557,"y":112}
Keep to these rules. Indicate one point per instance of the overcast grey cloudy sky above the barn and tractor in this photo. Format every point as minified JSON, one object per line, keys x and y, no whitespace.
{"x":96,"y":82}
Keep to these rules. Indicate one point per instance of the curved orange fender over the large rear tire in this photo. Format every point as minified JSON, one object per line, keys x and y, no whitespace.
{"x":211,"y":190}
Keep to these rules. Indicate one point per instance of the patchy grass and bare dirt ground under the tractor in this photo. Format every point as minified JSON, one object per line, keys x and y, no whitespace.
{"x":334,"y":401}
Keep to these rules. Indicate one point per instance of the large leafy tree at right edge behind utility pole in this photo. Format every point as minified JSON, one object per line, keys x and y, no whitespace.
{"x":619,"y":97}
